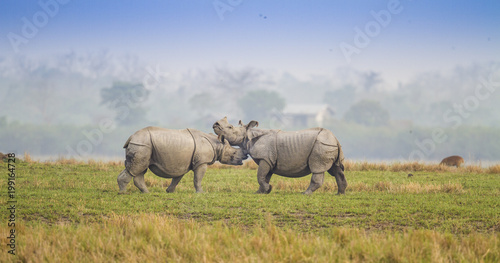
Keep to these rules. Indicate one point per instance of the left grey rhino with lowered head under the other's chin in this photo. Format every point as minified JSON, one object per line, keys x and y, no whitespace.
{"x":172,"y":153}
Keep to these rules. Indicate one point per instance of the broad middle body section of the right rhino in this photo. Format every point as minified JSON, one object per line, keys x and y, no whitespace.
{"x":293,"y":151}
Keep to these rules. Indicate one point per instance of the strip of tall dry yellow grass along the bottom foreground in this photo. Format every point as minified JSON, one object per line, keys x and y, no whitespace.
{"x":154,"y":238}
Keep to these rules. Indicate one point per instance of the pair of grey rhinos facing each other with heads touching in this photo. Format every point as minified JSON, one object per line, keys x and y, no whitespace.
{"x":172,"y":153}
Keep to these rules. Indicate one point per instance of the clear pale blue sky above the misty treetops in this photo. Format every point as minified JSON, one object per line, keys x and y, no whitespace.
{"x":300,"y":37}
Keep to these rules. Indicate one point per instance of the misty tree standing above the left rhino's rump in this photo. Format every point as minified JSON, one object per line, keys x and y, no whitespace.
{"x":125,"y":99}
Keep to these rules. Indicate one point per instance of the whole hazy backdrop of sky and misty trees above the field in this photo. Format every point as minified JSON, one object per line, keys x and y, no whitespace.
{"x":406,"y":80}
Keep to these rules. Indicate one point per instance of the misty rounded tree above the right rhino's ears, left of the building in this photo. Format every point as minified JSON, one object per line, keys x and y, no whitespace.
{"x":260,"y":104}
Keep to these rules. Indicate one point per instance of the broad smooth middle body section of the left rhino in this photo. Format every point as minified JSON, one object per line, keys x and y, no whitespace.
{"x":172,"y":151}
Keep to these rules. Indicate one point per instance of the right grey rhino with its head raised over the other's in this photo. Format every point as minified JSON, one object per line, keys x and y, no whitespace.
{"x":290,"y":154}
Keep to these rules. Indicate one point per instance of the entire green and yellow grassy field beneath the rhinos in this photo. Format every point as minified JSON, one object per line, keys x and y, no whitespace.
{"x":68,"y":211}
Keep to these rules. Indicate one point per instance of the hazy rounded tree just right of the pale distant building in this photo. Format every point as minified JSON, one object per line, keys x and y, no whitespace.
{"x":367,"y":112}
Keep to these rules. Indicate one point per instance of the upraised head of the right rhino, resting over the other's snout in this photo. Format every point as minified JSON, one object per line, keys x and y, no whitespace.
{"x":235,"y":135}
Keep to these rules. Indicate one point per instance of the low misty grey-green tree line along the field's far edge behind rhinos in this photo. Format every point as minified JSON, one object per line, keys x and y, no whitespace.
{"x":359,"y":141}
